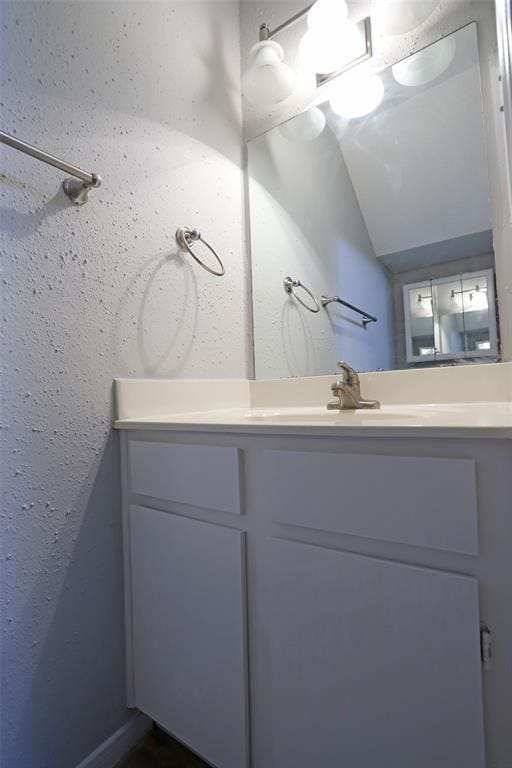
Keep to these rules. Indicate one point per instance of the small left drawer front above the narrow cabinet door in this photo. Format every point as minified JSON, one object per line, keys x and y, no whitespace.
{"x":200,"y":475}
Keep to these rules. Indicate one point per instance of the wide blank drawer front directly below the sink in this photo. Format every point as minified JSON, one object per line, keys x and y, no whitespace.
{"x":426,"y":502}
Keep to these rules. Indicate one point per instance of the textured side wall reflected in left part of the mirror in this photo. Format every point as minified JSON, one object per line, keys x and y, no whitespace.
{"x":306,"y":222}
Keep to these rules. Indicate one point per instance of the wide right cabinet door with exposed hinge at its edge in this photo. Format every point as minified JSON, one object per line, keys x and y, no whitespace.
{"x":366,"y":663}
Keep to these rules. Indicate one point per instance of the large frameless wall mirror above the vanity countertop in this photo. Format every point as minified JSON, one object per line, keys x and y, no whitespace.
{"x":371,"y":235}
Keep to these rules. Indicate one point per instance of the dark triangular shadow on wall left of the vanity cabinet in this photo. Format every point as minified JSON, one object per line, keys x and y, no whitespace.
{"x":91,"y":576}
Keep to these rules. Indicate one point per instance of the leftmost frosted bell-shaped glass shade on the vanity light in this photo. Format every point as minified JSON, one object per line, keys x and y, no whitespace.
{"x":267,"y":79}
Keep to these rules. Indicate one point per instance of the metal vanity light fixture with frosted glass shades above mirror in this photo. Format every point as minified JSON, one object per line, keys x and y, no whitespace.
{"x":331,"y":45}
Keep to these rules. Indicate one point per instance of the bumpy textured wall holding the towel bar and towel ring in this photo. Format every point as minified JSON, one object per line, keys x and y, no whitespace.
{"x":147,"y":95}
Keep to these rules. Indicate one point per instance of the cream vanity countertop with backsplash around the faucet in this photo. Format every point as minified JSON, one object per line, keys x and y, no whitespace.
{"x":291,"y":407}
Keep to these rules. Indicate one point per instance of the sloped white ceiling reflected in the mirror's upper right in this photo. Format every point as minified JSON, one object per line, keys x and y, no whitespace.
{"x":418,"y":164}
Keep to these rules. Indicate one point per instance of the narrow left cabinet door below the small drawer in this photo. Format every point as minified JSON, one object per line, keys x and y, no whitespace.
{"x":188,"y":615}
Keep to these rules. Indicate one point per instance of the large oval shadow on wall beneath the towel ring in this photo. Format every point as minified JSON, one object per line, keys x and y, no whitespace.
{"x":152,"y":288}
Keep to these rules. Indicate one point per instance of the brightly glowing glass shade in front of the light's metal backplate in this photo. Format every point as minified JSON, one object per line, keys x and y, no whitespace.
{"x":330,"y":50}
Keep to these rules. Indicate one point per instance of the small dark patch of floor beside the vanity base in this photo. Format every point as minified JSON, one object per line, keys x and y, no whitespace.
{"x":158,"y":750}
